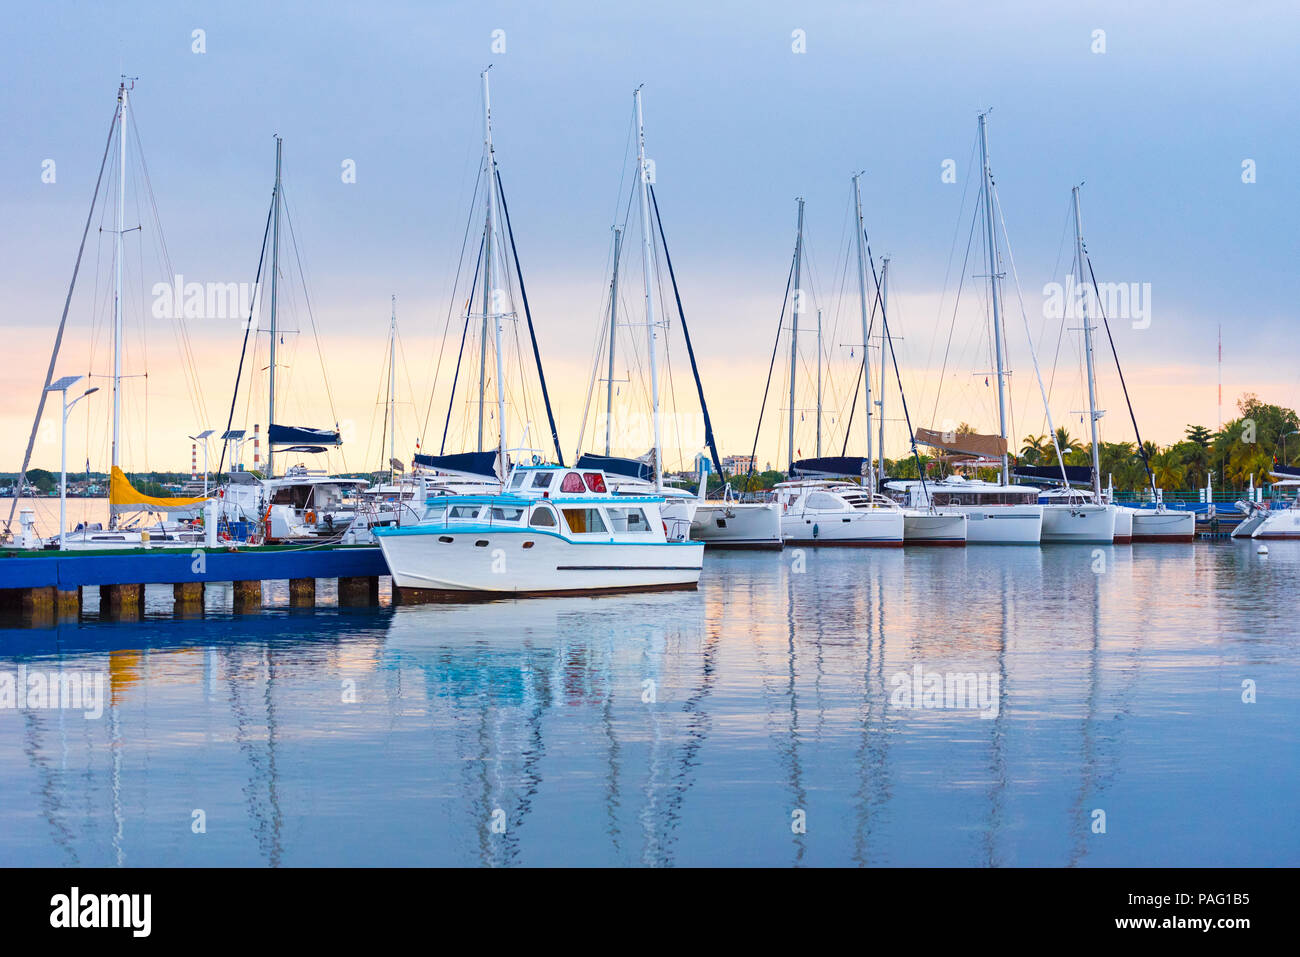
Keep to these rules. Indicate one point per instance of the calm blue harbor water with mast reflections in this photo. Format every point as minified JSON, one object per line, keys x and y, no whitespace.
{"x":521,"y":734}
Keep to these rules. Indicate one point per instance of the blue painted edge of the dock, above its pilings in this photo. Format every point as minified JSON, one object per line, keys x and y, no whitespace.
{"x":72,"y":570}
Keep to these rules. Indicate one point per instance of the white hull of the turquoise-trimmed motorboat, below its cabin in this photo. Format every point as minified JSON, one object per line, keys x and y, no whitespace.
{"x":447,"y":558}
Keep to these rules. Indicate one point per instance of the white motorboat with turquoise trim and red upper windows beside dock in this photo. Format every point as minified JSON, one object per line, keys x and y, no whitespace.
{"x":552,"y":531}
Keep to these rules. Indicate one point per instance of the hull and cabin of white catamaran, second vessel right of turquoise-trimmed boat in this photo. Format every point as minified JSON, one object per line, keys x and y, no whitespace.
{"x":831,"y":513}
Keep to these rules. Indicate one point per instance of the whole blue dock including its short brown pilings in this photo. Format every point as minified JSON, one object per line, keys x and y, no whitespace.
{"x":50,"y":583}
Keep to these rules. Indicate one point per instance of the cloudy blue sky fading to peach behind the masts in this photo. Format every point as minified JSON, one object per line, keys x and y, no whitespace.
{"x":1180,"y":120}
